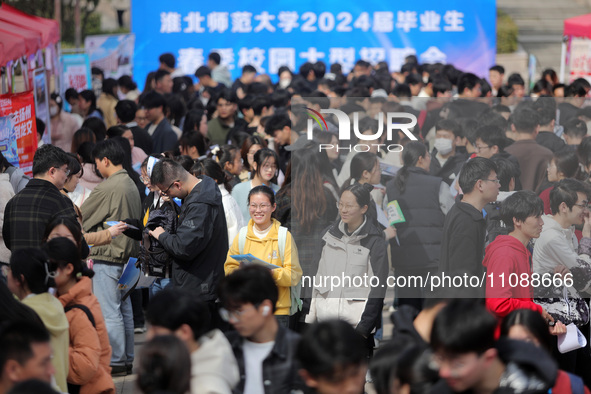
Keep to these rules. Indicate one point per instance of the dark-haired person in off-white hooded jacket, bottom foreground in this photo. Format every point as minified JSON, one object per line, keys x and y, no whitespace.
{"x":213,"y":365}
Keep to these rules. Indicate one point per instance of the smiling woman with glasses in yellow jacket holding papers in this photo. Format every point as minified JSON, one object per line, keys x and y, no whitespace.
{"x":262,"y":241}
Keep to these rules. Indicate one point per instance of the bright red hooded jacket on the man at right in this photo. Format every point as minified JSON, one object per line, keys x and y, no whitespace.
{"x":505,"y":260}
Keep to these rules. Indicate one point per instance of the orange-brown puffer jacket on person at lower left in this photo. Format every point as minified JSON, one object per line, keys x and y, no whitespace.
{"x":90,"y":351}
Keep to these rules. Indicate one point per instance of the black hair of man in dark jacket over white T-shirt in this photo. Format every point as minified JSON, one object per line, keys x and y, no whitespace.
{"x":249,"y":285}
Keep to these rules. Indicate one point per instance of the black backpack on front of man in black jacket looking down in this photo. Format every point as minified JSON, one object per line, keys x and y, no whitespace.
{"x":154,"y":259}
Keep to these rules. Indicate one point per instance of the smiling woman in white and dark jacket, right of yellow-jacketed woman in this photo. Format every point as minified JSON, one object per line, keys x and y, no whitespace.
{"x":353,"y":254}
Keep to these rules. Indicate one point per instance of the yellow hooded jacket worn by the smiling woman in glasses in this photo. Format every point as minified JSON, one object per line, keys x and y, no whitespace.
{"x":267,"y":249}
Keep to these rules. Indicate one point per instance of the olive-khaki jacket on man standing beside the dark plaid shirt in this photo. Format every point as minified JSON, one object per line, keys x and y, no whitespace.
{"x":116,"y":198}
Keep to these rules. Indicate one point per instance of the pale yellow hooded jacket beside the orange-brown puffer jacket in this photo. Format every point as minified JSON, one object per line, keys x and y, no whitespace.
{"x":53,"y":317}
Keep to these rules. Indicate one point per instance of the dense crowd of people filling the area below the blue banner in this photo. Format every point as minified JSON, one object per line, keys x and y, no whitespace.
{"x":256,"y":224}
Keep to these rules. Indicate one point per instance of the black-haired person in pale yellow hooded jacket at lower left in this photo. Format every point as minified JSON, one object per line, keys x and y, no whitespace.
{"x":29,"y":277}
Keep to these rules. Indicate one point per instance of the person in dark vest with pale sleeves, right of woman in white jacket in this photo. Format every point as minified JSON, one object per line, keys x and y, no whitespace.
{"x":424,"y":200}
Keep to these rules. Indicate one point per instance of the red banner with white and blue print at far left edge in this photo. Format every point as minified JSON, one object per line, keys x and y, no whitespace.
{"x":18,"y":129}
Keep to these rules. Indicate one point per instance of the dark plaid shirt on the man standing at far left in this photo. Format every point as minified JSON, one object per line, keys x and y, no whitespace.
{"x":30,"y":211}
